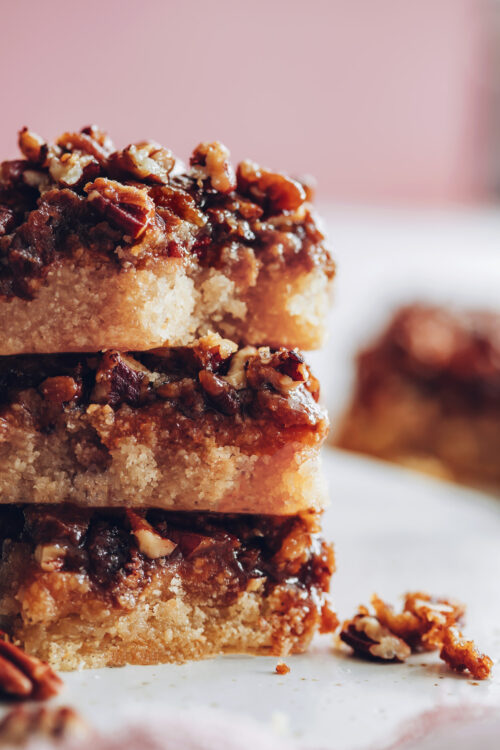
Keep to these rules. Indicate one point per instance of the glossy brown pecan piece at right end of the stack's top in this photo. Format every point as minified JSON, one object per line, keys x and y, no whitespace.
{"x":273,"y":191}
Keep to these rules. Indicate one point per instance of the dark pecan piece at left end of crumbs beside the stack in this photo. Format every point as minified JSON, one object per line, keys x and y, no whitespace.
{"x":371,"y":640}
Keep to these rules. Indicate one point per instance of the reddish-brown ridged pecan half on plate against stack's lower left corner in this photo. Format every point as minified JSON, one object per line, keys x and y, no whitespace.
{"x":24,"y":676}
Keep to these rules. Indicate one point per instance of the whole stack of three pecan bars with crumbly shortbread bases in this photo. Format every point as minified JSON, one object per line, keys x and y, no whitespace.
{"x":159,"y":432}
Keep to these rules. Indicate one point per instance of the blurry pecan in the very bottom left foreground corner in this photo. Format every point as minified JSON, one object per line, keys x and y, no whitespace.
{"x":21,"y":724}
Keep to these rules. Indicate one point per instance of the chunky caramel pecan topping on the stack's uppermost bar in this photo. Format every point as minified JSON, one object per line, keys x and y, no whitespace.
{"x":203,"y":214}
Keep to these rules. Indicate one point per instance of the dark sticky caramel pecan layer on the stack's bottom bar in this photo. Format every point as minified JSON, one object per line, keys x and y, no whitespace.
{"x":215,"y":555}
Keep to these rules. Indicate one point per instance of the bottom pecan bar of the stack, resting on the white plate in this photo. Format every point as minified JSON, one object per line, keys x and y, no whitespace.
{"x":106,"y":587}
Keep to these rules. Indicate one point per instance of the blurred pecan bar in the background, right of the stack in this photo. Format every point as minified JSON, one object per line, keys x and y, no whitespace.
{"x":428,"y":395}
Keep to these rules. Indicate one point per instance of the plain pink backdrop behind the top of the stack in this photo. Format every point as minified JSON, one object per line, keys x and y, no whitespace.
{"x":382,"y":100}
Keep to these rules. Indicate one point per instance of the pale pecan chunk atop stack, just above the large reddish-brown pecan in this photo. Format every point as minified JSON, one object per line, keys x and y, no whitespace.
{"x":145,"y":161}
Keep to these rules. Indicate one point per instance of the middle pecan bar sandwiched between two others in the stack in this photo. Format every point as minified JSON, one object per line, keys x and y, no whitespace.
{"x":206,"y":427}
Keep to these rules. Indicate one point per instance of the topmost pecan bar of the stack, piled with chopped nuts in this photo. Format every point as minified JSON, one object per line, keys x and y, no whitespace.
{"x":129,"y":249}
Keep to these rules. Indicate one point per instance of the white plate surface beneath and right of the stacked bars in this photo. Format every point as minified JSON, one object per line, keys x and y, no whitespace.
{"x":394,"y":531}
